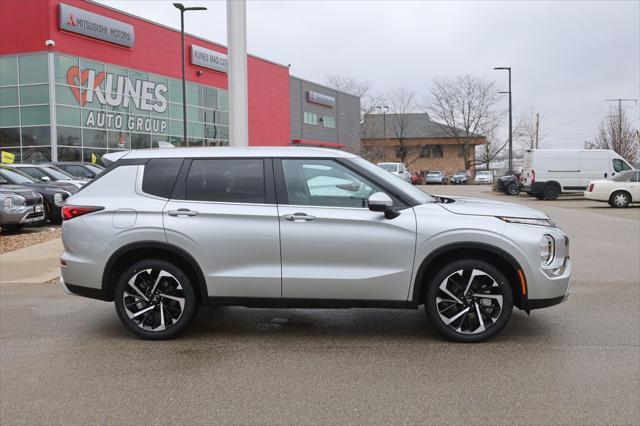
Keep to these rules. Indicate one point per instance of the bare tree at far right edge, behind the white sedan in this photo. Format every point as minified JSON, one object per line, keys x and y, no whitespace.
{"x":615,"y":133}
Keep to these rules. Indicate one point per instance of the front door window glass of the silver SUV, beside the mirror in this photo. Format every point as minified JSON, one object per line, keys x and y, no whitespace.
{"x":318,"y":182}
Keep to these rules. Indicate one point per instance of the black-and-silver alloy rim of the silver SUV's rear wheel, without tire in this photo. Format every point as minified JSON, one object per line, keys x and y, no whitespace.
{"x":153,"y":299}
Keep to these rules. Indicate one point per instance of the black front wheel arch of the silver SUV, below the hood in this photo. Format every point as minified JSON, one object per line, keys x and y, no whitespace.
{"x":496,"y":256}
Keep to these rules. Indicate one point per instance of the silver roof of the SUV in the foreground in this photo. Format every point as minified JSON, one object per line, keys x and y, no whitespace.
{"x":223,"y":152}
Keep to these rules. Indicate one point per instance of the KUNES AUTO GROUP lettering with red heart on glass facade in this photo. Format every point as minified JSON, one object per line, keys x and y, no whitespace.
{"x":118,"y":91}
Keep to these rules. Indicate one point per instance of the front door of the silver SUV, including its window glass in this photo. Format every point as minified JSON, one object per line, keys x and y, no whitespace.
{"x":333,"y":246}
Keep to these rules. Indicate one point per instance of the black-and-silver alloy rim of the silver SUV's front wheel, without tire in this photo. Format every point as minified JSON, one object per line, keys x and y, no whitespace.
{"x":469,"y":301}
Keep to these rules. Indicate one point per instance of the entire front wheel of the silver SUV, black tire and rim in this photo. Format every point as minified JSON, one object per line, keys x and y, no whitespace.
{"x":490,"y":282}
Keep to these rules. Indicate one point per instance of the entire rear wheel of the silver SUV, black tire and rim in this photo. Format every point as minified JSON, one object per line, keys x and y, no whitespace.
{"x":163,"y":302}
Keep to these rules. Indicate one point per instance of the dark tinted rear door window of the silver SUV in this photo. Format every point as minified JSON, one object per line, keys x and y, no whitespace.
{"x":226,"y":181}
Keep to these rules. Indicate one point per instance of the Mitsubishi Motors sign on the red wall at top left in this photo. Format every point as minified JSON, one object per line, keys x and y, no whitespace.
{"x":91,"y":24}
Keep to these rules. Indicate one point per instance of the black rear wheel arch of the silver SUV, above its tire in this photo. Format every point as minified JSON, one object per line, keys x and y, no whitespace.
{"x":134,"y":252}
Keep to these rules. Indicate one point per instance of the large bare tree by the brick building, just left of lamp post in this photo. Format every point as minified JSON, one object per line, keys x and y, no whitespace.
{"x":466,"y":104}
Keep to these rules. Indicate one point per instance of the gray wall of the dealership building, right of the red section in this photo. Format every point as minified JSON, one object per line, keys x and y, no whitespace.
{"x":346,"y":111}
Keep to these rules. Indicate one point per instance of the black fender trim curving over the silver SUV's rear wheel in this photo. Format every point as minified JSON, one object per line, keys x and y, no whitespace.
{"x":153,"y":245}
